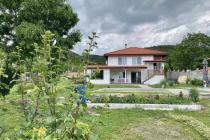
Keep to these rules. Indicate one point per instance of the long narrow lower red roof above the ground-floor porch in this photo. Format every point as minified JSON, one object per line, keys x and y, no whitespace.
{"x":112,"y":67}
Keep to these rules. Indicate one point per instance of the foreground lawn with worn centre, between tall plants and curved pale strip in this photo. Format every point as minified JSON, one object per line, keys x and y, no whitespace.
{"x":139,"y":124}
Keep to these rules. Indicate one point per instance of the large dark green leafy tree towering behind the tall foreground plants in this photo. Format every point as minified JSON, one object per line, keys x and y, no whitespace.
{"x":23,"y":21}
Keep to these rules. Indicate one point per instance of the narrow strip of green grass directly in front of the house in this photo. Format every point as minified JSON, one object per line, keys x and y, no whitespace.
{"x":115,"y":86}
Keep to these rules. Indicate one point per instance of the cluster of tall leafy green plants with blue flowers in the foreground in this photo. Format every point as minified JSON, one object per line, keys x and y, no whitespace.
{"x":47,"y":115}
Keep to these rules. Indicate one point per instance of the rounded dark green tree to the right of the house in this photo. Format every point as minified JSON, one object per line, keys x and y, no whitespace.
{"x":190,"y":53}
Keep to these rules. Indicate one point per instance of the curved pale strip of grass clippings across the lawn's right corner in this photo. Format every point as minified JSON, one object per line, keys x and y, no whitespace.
{"x":198,"y":126}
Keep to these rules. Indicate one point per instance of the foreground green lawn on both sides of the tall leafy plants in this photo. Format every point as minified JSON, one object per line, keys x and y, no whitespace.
{"x":124,"y":124}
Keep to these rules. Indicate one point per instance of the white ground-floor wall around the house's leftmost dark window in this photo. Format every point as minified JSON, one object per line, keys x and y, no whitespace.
{"x":106,"y":76}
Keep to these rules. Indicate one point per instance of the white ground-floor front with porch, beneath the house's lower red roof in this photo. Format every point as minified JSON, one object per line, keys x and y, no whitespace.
{"x":122,"y":75}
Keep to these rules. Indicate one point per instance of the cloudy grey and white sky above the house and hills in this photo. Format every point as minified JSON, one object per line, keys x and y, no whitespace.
{"x":139,"y":23}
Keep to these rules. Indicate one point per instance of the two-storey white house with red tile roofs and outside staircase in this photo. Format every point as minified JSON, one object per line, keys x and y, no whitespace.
{"x":131,"y":65}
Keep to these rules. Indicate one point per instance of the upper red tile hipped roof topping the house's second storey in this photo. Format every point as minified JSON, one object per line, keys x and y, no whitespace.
{"x":136,"y":51}
